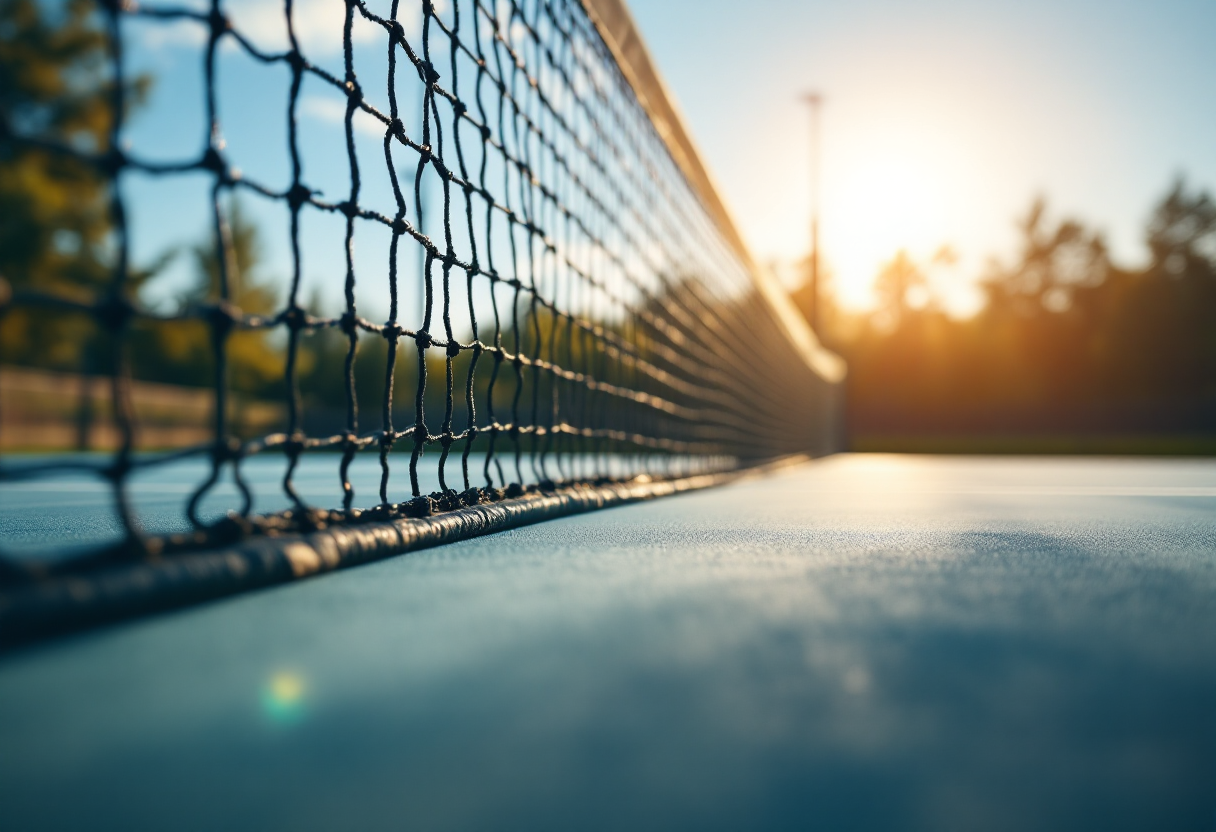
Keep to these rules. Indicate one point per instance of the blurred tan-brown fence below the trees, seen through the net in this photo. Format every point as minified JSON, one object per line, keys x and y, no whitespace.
{"x":42,"y":411}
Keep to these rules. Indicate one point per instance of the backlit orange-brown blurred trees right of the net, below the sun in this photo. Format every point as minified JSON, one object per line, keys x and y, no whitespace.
{"x":1067,"y":342}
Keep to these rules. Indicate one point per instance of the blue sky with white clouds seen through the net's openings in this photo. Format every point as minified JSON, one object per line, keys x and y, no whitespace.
{"x":172,"y":213}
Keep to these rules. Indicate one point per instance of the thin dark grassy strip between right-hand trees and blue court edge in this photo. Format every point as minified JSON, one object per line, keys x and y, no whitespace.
{"x":1089,"y":445}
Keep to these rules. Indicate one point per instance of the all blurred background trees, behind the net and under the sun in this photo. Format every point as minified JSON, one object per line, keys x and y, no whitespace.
{"x":1067,"y":342}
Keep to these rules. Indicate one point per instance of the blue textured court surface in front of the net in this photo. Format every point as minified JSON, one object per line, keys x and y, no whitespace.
{"x":862,"y":643}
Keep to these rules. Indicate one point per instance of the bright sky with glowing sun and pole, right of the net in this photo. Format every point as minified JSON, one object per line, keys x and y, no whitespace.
{"x":943,"y":120}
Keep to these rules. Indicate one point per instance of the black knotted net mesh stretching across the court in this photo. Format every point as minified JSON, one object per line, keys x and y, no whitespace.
{"x":583,"y":318}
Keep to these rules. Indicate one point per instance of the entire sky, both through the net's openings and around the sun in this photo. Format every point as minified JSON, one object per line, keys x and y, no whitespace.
{"x":942,"y":122}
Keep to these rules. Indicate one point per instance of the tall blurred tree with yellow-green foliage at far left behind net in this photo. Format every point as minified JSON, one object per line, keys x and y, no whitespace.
{"x":55,"y":226}
